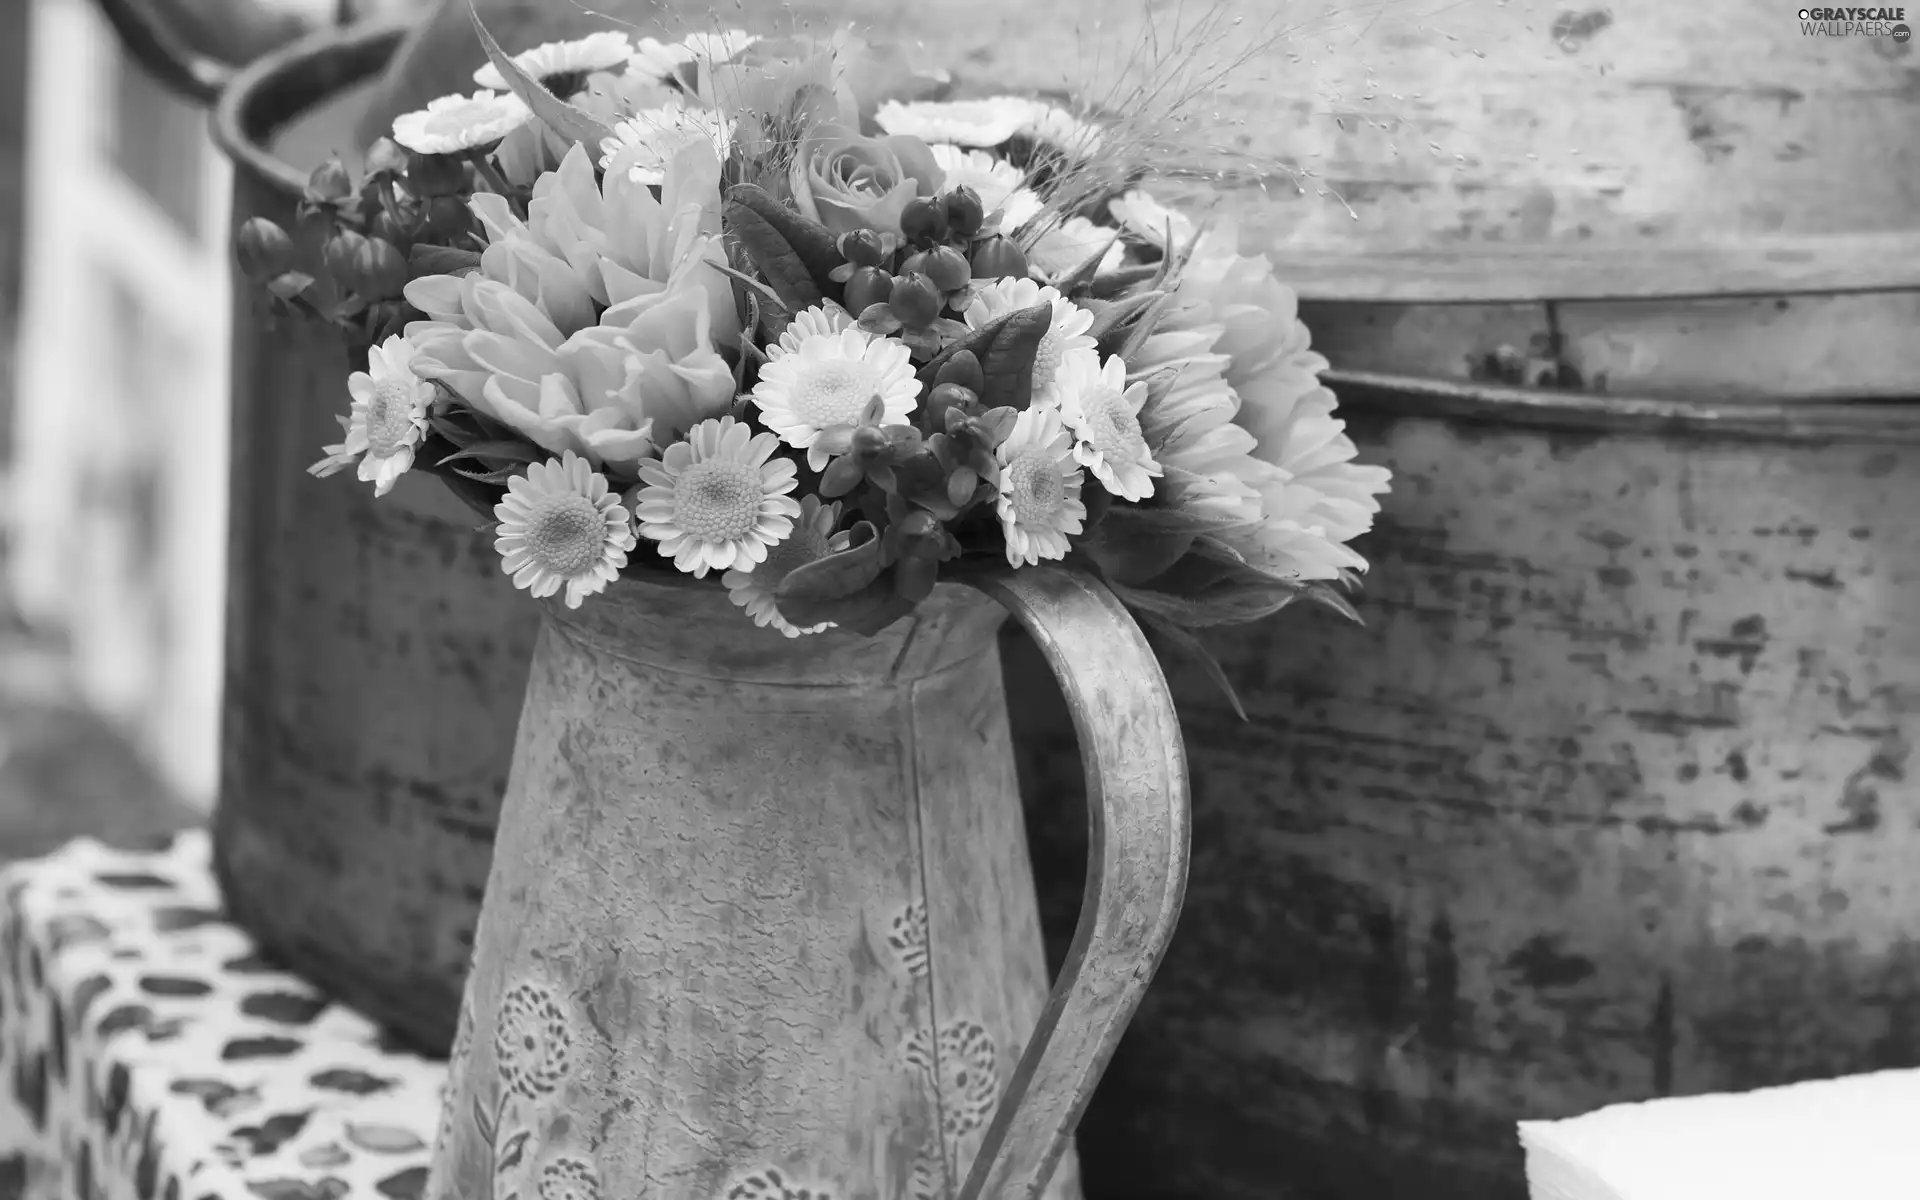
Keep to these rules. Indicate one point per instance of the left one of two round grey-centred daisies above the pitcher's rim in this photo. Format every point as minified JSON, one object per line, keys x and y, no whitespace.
{"x":560,"y":525}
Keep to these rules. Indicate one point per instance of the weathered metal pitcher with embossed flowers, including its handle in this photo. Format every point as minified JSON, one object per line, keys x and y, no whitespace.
{"x":761,"y":913}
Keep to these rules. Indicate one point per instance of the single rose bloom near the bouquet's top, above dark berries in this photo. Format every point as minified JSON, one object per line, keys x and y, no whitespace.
{"x":848,"y":181}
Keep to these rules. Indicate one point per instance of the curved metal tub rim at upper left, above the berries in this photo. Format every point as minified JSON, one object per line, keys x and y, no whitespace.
{"x":291,"y":82}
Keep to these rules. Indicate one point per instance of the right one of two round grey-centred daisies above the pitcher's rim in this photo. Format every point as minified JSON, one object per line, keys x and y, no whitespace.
{"x":717,"y":500}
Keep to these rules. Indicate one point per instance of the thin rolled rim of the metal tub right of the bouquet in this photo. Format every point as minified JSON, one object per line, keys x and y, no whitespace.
{"x":1633,"y":416}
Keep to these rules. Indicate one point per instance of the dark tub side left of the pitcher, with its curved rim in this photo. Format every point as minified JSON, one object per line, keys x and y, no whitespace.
{"x":375,"y":654}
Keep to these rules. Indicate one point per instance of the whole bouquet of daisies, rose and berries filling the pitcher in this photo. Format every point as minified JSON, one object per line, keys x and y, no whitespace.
{"x":773,"y":312}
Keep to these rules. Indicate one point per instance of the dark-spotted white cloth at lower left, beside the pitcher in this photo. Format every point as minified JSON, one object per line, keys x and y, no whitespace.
{"x":147,"y":1053}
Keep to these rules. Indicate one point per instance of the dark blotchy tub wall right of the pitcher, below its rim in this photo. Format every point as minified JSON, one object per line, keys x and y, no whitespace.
{"x":1614,"y":798}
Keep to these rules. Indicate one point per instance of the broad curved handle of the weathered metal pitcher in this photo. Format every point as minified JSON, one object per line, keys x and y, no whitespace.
{"x":1138,"y":817}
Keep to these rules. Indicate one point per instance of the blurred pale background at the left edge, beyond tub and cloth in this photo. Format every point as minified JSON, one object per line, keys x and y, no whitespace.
{"x":114,"y":435}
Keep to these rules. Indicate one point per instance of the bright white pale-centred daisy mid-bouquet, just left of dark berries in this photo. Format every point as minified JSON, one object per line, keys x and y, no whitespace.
{"x":828,"y":381}
